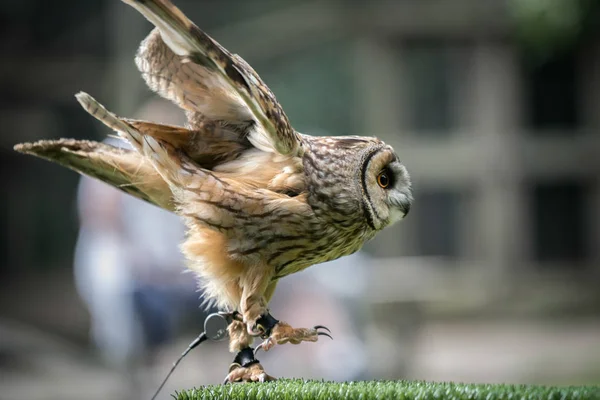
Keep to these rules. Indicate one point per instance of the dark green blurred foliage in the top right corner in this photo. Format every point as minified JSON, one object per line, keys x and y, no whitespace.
{"x":546,"y":27}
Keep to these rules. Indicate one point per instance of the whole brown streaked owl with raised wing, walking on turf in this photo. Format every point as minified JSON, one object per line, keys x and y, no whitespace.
{"x":260,"y":200}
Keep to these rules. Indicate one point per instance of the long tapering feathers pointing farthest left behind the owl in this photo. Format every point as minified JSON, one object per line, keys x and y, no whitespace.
{"x":122,"y":168}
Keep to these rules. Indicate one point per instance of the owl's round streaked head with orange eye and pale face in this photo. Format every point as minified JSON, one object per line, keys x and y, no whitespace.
{"x":358,"y":177}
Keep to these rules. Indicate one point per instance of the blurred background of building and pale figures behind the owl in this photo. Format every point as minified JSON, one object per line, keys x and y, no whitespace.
{"x":493,"y":105}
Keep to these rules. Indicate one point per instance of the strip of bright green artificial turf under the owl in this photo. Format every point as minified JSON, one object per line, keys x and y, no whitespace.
{"x":403,"y":390}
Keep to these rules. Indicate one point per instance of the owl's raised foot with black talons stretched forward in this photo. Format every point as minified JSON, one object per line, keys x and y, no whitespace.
{"x":276,"y":332}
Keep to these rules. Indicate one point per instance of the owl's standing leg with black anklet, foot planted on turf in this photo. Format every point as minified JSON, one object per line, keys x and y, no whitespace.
{"x":244,"y":368}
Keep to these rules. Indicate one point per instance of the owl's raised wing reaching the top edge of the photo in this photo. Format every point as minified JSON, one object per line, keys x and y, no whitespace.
{"x":185,"y":65}
